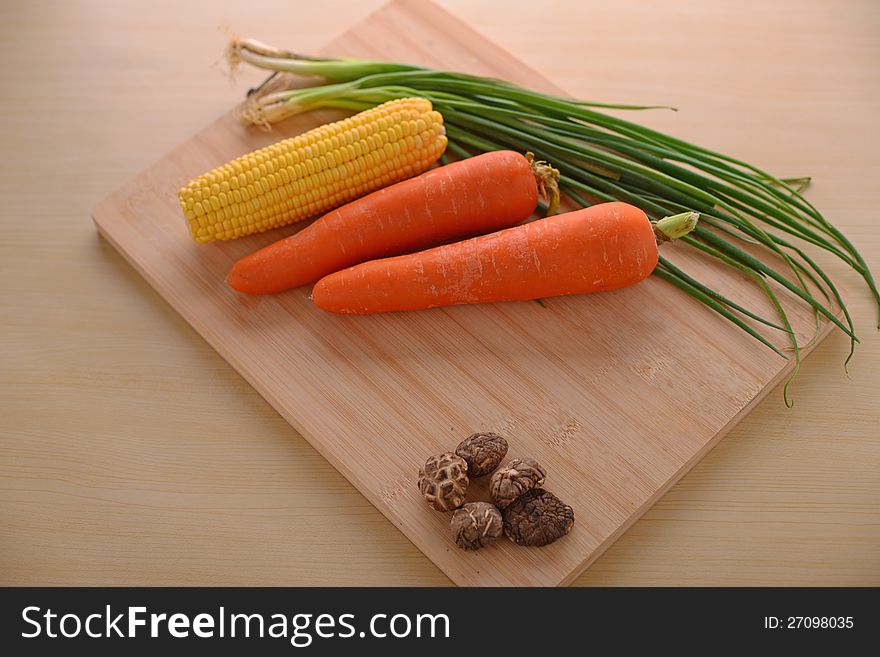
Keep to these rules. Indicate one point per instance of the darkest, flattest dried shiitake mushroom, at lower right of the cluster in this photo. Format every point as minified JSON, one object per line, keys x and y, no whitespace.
{"x":537,"y":518}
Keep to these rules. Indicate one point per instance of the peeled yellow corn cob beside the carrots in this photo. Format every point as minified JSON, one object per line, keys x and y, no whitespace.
{"x":314,"y":172}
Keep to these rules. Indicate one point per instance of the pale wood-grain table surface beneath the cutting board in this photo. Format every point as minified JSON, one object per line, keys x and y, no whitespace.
{"x":130,"y":453}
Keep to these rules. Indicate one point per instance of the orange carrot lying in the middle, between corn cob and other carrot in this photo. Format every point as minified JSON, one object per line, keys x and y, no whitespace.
{"x":474,"y":196}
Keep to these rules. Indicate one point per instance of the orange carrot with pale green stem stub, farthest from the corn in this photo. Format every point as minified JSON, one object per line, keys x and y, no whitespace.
{"x":602,"y":247}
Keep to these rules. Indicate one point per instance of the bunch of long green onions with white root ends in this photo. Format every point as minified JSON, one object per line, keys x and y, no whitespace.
{"x":603,"y":158}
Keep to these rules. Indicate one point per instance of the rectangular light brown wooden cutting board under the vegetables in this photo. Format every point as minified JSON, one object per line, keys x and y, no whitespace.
{"x":617,"y":394}
